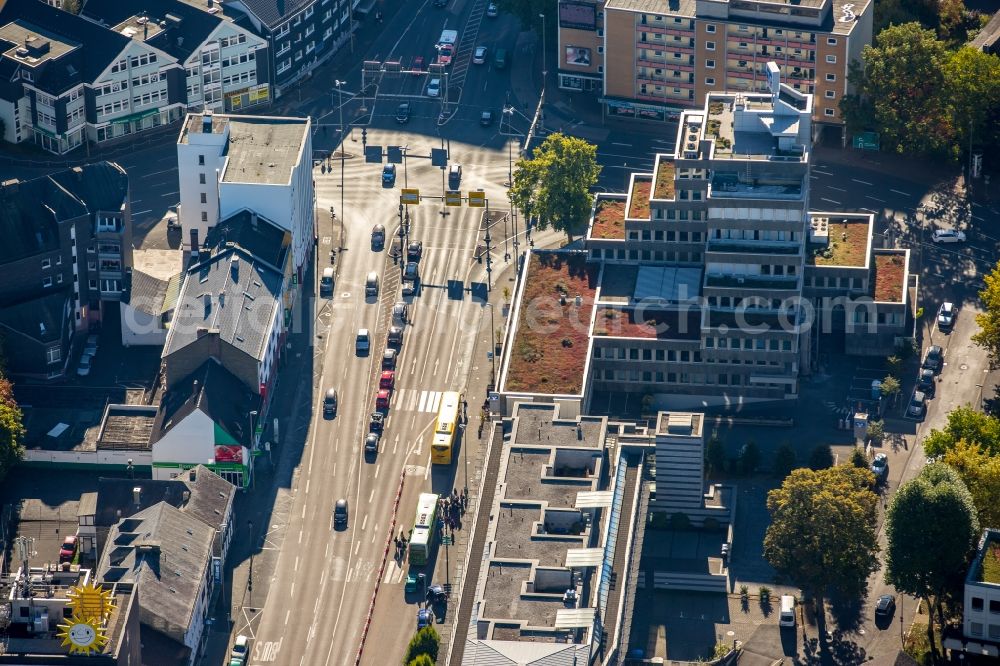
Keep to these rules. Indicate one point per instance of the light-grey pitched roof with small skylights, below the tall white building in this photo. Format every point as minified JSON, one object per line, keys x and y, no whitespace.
{"x":233,"y":295}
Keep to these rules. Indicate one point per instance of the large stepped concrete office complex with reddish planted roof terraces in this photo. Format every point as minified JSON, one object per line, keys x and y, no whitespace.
{"x":709,"y":282}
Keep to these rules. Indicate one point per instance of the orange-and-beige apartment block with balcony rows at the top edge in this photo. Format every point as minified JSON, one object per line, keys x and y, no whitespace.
{"x":650,"y":59}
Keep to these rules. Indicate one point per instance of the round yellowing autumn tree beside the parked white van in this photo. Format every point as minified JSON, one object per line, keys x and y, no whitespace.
{"x":822,"y":532}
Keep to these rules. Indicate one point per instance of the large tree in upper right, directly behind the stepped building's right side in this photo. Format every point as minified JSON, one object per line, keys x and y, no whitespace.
{"x":899,"y":86}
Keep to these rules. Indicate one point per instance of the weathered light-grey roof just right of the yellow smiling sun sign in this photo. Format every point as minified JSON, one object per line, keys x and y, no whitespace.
{"x":167,"y":553}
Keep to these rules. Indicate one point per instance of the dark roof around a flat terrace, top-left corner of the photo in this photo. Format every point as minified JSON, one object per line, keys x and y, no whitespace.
{"x":92,"y":47}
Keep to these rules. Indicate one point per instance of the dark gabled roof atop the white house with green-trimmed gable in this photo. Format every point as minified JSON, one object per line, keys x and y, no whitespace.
{"x":215,"y":391}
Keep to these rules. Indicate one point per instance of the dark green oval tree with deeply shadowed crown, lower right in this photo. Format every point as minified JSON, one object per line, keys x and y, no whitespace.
{"x":931,"y":529}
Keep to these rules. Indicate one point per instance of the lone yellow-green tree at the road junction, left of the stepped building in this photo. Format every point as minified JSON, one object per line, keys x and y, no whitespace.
{"x":554,"y":184}
